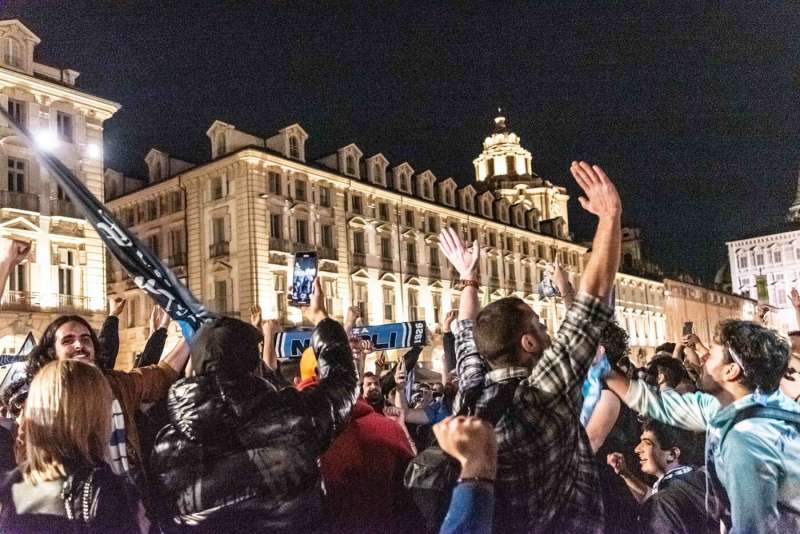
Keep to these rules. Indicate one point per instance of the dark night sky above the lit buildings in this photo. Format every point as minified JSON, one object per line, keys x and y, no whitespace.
{"x":694,"y":110}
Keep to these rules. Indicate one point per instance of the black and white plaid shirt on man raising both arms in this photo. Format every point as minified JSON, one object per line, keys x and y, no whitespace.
{"x":546,"y":478}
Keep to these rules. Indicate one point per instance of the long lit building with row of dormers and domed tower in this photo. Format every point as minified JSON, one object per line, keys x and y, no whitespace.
{"x":229,"y":227}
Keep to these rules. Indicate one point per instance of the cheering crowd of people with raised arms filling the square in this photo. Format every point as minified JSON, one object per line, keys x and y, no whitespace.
{"x":523,"y":432}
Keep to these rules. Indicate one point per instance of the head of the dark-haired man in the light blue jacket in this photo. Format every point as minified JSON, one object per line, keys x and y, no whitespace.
{"x":744,"y":356}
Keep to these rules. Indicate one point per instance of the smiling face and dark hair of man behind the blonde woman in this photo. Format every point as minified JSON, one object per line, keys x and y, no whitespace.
{"x":69,"y":337}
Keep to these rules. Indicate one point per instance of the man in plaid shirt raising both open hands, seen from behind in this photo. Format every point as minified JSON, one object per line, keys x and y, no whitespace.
{"x":530,"y":387}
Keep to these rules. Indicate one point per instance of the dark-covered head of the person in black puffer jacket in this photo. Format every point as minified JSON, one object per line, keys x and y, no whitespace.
{"x":227,"y":347}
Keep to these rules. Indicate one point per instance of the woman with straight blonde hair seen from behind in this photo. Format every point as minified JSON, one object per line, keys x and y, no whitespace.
{"x":64,"y":483}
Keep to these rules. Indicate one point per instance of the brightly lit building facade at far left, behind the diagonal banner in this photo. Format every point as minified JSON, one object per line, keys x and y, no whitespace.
{"x":66,"y":269}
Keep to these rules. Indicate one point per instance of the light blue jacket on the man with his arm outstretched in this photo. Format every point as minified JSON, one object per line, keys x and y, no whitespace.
{"x":759,"y":462}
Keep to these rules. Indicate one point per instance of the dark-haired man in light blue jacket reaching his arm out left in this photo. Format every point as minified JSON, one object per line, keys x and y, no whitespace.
{"x":755,"y":460}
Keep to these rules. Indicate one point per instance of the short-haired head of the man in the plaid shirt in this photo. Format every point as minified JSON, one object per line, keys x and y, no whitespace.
{"x":508,"y":333}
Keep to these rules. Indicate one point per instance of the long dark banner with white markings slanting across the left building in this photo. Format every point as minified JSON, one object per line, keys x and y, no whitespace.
{"x":144,"y":267}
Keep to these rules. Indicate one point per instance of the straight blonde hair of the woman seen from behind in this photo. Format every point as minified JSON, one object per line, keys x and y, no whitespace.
{"x":66,"y":421}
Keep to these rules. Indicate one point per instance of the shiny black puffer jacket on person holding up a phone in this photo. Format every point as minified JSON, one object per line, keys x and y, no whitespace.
{"x":242,"y":456}
